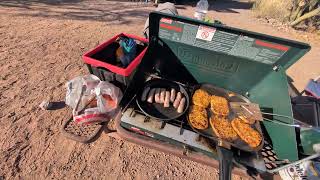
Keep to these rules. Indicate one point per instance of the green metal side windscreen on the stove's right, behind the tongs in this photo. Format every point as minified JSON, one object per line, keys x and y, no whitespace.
{"x":272,"y":95}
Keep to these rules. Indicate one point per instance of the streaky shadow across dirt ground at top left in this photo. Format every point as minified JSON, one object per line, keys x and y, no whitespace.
{"x":111,"y":12}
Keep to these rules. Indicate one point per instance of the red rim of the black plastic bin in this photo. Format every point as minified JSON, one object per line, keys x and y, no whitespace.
{"x":88,"y":59}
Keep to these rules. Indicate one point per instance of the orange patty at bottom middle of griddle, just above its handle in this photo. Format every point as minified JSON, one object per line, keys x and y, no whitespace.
{"x":222,"y":128}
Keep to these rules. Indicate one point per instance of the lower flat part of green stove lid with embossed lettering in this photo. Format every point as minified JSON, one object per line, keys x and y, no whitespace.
{"x":226,"y":72}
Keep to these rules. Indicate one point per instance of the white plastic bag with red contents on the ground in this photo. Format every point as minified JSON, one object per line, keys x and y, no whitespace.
{"x":92,"y":100}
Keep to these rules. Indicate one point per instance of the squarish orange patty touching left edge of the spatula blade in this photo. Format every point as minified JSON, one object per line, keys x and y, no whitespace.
{"x":219,"y":105}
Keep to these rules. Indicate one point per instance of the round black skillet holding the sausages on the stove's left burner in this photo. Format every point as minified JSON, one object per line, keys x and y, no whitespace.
{"x":156,"y":110}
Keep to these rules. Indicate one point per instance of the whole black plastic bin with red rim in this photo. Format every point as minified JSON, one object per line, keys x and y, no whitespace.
{"x":101,"y":61}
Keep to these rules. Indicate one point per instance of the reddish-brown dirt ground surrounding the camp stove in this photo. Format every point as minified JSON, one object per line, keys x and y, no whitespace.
{"x":41,"y":43}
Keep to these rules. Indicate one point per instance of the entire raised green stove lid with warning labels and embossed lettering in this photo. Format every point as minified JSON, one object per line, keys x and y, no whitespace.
{"x":232,"y":58}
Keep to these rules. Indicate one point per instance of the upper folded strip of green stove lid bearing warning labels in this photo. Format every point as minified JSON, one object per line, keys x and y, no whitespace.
{"x":294,"y":50}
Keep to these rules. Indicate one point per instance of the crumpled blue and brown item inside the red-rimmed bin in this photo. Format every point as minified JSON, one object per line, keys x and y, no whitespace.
{"x":127,"y":50}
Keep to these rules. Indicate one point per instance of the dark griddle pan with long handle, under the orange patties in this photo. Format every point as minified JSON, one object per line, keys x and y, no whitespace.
{"x":223,"y":148}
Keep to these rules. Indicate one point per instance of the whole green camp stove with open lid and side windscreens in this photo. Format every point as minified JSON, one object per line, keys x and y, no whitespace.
{"x":188,"y":51}
